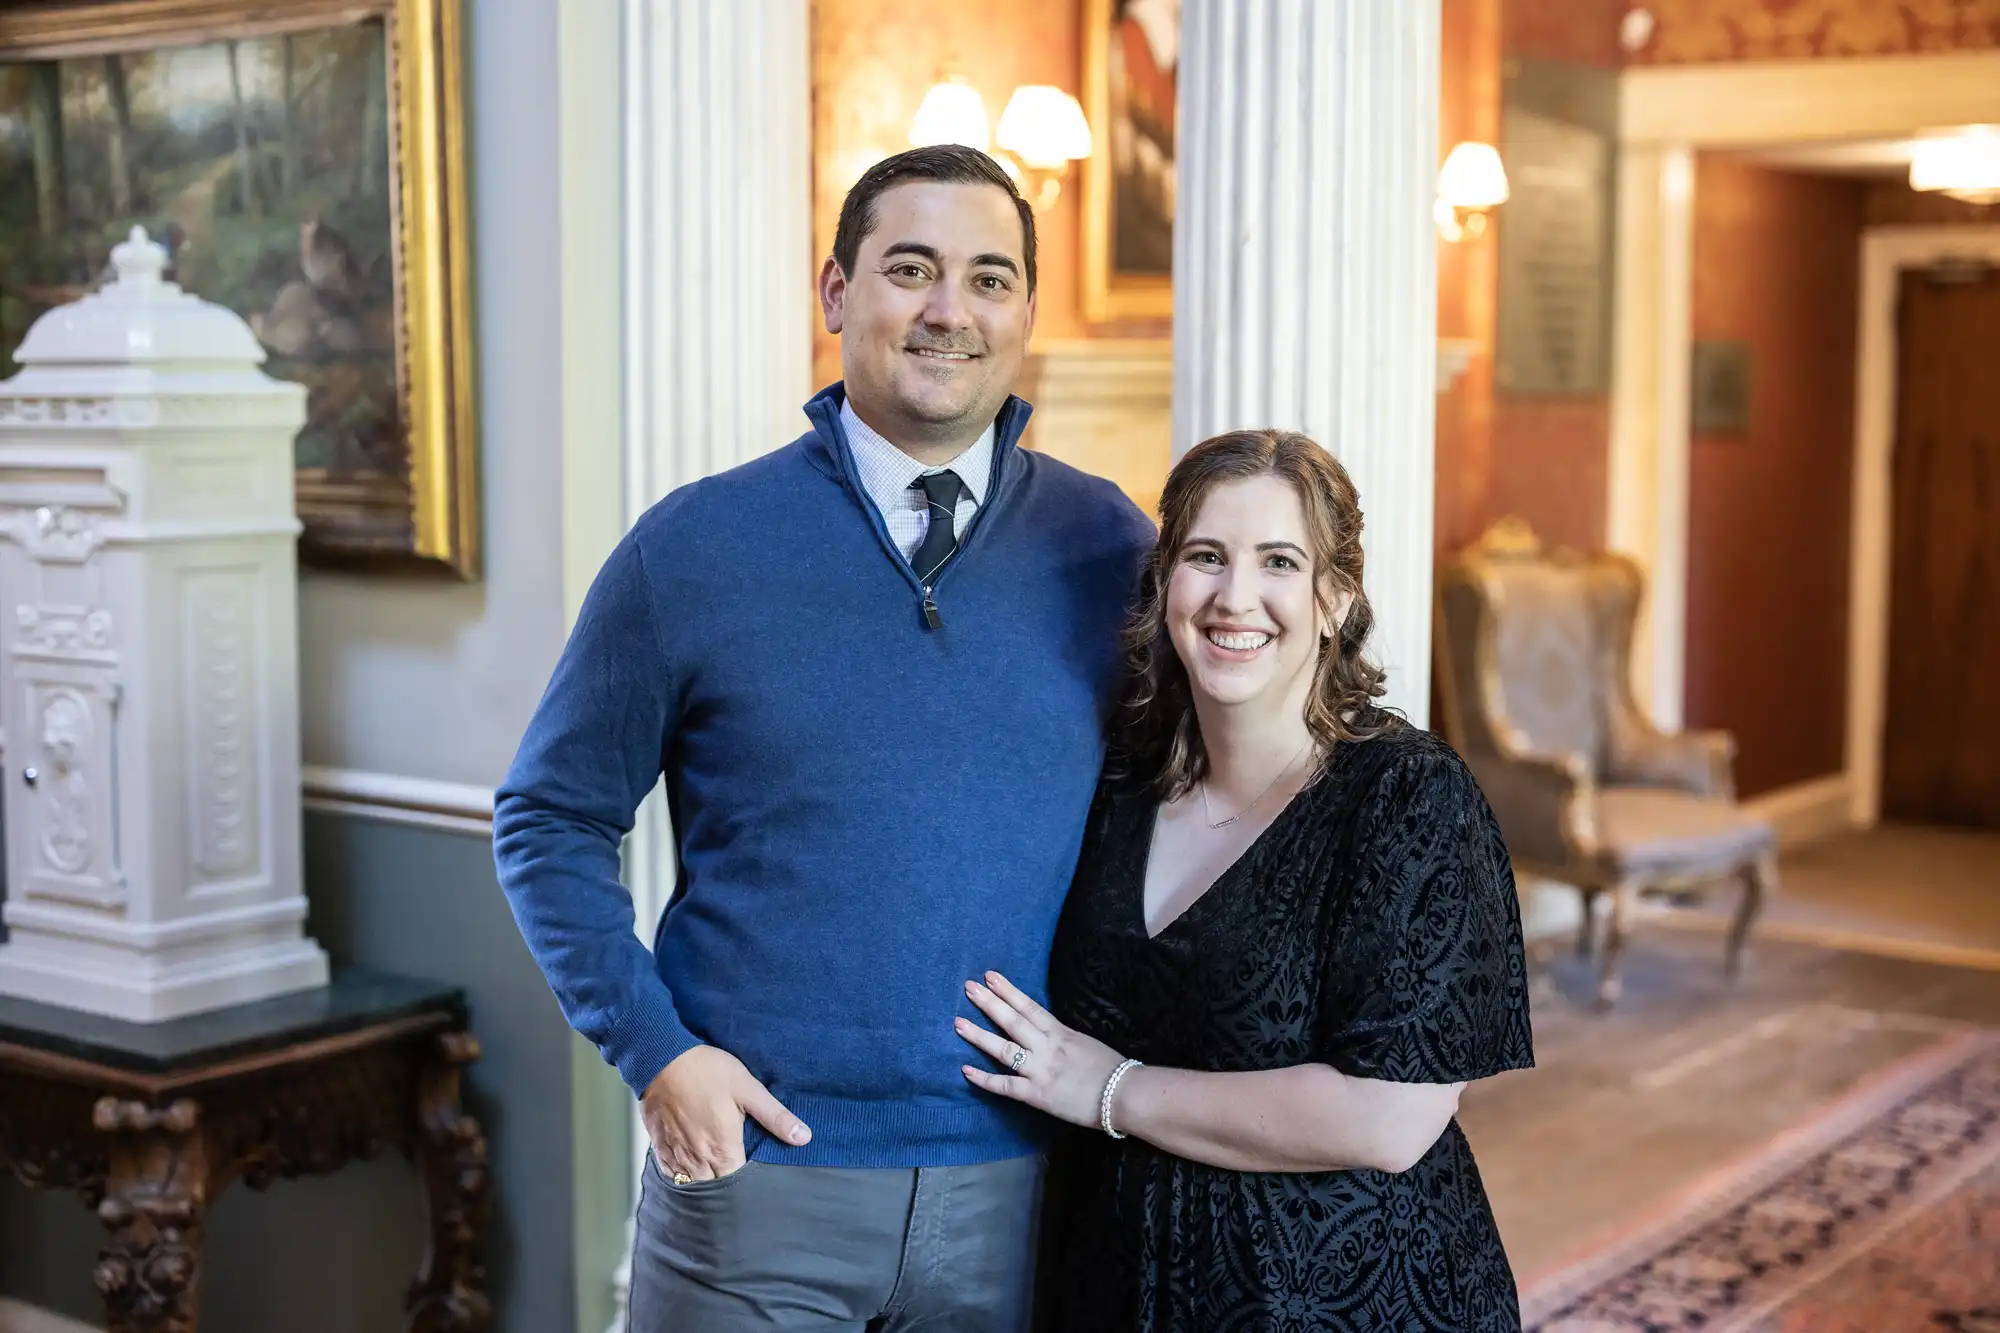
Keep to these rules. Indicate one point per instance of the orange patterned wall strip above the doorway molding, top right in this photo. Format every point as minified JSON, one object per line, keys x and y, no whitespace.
{"x":1697,"y":31}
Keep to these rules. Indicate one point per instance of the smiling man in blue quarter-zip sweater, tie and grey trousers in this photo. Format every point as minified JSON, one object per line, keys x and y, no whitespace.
{"x":873,"y":670}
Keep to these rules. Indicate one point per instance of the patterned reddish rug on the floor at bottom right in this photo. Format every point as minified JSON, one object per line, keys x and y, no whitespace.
{"x":1879,"y":1216}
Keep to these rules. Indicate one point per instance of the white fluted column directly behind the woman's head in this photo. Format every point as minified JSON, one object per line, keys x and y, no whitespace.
{"x":1305,"y":265}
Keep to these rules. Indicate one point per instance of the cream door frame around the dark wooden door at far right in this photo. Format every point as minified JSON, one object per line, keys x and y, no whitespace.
{"x":1885,"y":253}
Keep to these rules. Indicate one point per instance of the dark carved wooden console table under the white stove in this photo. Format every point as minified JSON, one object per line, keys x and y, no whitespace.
{"x":153,"y":1122}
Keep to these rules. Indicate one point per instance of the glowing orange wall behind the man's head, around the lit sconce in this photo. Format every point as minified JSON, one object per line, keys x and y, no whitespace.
{"x":871,"y":67}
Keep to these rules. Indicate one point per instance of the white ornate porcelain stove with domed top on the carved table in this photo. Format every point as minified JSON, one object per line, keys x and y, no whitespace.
{"x":149,"y":657}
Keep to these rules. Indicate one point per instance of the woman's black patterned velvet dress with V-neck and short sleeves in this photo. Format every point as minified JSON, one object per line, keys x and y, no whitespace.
{"x":1371,"y":928}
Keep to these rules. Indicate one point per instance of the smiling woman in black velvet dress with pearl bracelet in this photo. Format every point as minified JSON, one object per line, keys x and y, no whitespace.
{"x":1291,"y":944}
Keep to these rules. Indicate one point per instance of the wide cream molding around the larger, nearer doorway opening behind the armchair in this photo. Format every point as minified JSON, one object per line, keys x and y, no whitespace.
{"x":1667,"y":115}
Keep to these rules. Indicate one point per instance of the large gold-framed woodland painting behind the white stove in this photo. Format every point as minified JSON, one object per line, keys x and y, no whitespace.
{"x":301,"y":161}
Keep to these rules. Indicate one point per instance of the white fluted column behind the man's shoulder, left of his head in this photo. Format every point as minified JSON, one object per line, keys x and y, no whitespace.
{"x":719,"y":269}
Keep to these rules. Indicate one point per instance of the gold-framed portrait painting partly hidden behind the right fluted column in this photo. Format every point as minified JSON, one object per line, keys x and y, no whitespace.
{"x":1131,"y":71}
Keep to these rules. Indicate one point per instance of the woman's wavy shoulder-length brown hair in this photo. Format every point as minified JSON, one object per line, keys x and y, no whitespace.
{"x":1159,"y":738}
